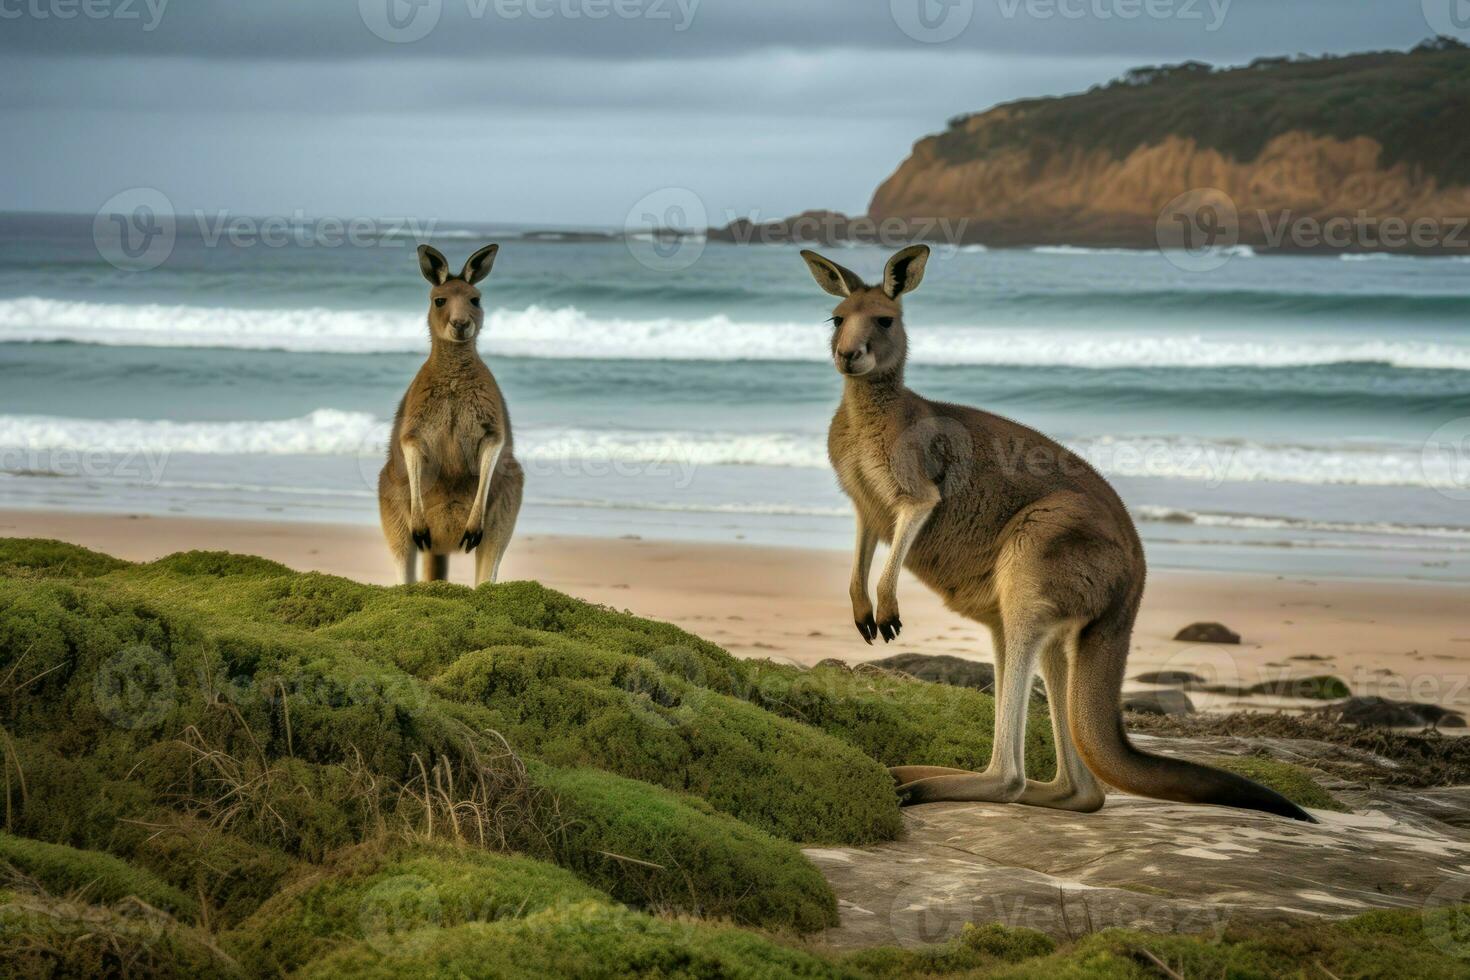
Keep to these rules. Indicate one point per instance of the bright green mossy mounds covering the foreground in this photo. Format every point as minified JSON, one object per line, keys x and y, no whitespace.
{"x":215,"y":766}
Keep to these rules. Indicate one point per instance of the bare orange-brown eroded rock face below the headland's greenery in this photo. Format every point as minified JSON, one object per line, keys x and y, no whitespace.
{"x":1094,"y":198}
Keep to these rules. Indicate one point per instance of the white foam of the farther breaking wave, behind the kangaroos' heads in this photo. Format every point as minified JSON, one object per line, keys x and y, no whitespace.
{"x":570,"y":333}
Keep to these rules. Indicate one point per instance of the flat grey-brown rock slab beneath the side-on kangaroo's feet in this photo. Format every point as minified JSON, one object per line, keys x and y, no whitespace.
{"x":1144,"y":865}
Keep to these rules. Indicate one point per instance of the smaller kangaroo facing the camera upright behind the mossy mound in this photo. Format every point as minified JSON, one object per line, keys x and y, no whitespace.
{"x":452,"y":480}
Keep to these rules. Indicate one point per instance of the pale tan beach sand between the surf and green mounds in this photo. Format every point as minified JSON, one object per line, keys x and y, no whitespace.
{"x":1399,"y":640}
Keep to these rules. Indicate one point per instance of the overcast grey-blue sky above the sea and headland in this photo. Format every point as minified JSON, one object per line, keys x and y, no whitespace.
{"x":568,"y":112}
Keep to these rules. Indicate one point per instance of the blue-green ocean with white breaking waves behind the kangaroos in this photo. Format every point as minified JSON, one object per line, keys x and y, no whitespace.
{"x":1287,"y":415}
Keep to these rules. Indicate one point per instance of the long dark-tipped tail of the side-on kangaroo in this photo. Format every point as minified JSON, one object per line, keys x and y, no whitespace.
{"x":1097,"y":728}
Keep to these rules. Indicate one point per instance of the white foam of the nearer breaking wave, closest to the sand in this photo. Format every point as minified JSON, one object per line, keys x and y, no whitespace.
{"x":26,"y":440}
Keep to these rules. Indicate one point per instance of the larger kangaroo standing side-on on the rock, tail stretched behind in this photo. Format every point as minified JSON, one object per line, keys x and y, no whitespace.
{"x":1015,"y":533}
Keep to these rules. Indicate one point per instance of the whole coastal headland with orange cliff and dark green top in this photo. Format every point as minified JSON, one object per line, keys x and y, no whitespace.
{"x":1366,"y":152}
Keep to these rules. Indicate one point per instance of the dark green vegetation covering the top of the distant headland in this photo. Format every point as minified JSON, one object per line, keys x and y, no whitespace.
{"x":1413,"y":105}
